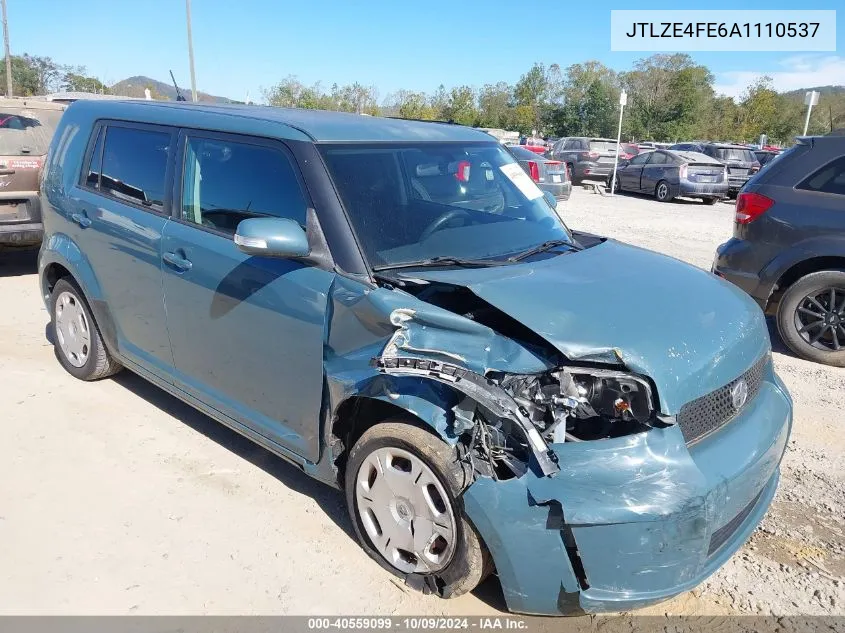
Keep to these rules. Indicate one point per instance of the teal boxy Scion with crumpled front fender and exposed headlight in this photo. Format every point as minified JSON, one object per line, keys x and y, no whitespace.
{"x":396,"y":308}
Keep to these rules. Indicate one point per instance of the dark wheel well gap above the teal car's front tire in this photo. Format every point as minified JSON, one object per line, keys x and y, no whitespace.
{"x":359,"y":413}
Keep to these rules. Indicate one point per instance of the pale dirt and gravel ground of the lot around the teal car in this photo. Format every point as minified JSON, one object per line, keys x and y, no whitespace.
{"x":117,"y":498}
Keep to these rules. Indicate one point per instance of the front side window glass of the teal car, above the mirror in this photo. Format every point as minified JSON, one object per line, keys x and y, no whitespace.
{"x":225,"y":182}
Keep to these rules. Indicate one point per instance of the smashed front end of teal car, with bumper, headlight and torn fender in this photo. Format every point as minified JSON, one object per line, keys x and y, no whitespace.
{"x":583,"y":489}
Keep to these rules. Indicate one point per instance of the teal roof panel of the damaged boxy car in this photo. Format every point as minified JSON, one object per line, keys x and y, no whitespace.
{"x":317,"y":125}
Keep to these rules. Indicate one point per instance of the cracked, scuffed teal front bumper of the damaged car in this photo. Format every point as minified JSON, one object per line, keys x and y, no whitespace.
{"x":635,"y":520}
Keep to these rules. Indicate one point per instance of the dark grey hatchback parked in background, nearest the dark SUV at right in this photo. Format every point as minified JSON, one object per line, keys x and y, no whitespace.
{"x":667,"y":174}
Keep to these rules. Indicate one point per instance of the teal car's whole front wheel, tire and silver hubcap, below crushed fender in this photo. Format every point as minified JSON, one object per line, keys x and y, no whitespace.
{"x":402,"y":488}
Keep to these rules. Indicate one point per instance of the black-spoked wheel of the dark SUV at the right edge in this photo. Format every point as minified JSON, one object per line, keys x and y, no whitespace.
{"x":811,"y":317}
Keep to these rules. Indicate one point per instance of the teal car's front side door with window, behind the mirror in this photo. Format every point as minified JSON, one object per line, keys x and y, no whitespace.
{"x":247,"y":332}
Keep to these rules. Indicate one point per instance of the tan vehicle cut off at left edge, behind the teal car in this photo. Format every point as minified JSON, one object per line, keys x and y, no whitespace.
{"x":26,"y":128}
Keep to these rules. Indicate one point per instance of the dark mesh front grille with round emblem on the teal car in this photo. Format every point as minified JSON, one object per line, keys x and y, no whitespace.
{"x":712,"y":411}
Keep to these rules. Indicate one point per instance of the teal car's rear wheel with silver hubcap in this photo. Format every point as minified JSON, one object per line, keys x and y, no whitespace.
{"x":76,"y":338}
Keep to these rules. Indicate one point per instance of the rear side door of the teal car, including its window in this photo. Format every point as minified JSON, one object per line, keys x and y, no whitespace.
{"x":117,"y":216}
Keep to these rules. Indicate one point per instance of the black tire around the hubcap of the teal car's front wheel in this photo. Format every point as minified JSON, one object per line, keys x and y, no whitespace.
{"x":470,"y":562}
